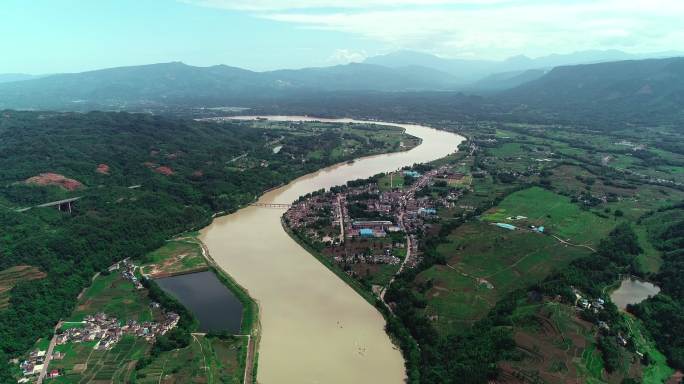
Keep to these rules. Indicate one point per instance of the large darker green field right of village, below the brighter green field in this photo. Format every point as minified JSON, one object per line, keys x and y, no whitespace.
{"x":484,"y":263}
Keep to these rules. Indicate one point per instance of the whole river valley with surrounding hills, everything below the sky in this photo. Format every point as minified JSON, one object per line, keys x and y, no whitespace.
{"x":411,"y":234}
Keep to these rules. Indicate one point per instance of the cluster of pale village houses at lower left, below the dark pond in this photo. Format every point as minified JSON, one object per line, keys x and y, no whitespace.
{"x":107,"y":331}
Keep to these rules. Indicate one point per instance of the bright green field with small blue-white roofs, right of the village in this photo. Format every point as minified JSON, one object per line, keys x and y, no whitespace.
{"x":556,"y":213}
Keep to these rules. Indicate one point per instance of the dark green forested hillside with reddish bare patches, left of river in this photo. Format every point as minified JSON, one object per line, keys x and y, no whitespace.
{"x":141,"y":179}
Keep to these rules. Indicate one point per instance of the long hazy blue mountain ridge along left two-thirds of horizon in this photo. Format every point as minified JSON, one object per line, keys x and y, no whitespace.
{"x":177,"y":82}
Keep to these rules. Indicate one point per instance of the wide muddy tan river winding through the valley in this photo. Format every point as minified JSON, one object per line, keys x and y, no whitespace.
{"x":315,"y":328}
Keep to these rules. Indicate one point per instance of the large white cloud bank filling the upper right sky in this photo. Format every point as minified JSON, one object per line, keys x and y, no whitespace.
{"x":485,"y":29}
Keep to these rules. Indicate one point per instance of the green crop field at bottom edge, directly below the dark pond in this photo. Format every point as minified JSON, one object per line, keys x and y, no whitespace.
{"x":205,"y":360}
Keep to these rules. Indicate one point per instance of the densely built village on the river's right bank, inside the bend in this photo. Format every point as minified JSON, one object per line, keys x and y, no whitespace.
{"x":361,"y":227}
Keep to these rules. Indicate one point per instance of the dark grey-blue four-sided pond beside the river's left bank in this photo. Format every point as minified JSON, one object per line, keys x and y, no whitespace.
{"x":212,"y":303}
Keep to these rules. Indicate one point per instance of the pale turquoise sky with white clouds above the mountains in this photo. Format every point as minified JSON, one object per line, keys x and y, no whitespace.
{"x":51,"y":36}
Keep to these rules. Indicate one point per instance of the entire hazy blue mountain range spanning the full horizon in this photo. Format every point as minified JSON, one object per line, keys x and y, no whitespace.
{"x":632,"y":85}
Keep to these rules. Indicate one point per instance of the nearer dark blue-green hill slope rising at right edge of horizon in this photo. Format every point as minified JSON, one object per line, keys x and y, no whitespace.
{"x":635,"y":88}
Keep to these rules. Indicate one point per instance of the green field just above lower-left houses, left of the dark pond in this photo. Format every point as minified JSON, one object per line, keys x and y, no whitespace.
{"x":116,"y":297}
